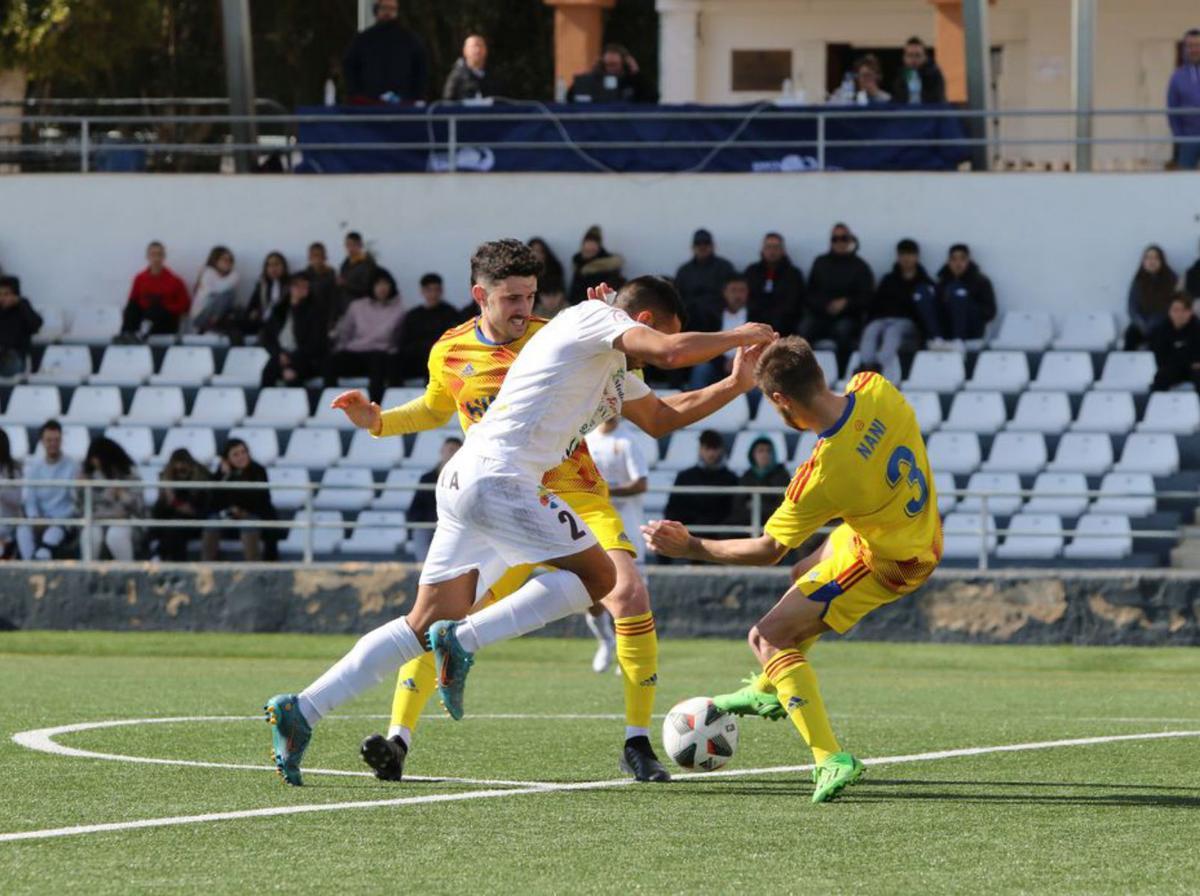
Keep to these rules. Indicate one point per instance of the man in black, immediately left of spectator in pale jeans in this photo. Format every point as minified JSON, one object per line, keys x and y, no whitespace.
{"x":841,"y":287}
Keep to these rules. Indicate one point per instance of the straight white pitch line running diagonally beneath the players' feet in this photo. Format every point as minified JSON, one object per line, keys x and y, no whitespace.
{"x":277,"y":811}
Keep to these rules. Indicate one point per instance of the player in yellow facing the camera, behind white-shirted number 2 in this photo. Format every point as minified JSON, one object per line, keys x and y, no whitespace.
{"x":467,"y":366}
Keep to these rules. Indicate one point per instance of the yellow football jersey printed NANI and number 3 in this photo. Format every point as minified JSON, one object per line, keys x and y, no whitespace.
{"x":871,"y":470}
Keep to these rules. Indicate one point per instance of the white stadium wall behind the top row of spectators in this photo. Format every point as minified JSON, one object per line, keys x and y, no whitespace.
{"x":1049,"y":242}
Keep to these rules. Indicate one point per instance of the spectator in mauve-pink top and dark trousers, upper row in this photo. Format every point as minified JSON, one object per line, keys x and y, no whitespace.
{"x":367,"y":338}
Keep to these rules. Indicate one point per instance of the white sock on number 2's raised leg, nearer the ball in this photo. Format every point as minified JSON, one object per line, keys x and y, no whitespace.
{"x":537,"y":604}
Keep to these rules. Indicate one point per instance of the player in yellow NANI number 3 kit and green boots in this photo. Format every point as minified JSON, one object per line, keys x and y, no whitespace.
{"x":868,"y":468}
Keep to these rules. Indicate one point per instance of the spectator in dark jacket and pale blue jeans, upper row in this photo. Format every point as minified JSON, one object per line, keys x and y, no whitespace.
{"x":892,"y":322}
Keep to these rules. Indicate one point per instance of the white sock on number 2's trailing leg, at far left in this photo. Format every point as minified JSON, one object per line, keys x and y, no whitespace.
{"x":377,"y":656}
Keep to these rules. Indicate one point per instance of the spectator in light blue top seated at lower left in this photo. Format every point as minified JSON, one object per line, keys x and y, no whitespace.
{"x":39,"y":542}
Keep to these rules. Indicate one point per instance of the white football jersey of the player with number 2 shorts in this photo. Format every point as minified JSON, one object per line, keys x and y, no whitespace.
{"x":567,"y":381}
